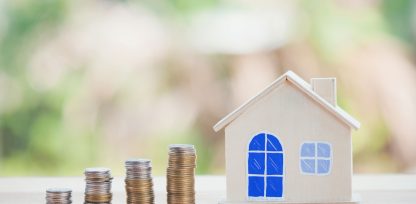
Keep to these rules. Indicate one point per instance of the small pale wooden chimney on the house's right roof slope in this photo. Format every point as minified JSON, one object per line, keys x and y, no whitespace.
{"x":325,"y":88}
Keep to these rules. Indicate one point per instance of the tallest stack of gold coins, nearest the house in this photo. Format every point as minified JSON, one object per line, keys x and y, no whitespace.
{"x":181,"y":174}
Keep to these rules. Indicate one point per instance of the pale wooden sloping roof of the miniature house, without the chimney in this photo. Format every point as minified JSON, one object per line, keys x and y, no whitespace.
{"x":303,"y":86}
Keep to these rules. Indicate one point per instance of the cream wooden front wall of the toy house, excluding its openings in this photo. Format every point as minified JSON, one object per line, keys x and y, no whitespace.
{"x":294,"y":118}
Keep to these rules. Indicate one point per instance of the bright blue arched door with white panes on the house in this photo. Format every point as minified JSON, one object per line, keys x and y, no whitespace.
{"x":265,"y":168}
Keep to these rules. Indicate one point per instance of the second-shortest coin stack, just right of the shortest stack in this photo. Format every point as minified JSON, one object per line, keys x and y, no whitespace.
{"x":98,"y":185}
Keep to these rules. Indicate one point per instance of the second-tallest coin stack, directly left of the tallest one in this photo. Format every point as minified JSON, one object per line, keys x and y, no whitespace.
{"x":139,"y":184}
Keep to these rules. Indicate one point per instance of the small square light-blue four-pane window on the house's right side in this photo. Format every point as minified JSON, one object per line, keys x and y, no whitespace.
{"x":315,"y":158}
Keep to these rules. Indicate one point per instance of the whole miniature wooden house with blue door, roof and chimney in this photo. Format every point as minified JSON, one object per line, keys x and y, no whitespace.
{"x":291,"y":143}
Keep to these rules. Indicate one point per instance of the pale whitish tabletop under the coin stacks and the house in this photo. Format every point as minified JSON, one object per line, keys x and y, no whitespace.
{"x":380,"y":189}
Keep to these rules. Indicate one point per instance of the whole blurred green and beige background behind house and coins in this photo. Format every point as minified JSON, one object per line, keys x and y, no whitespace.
{"x":92,"y":83}
